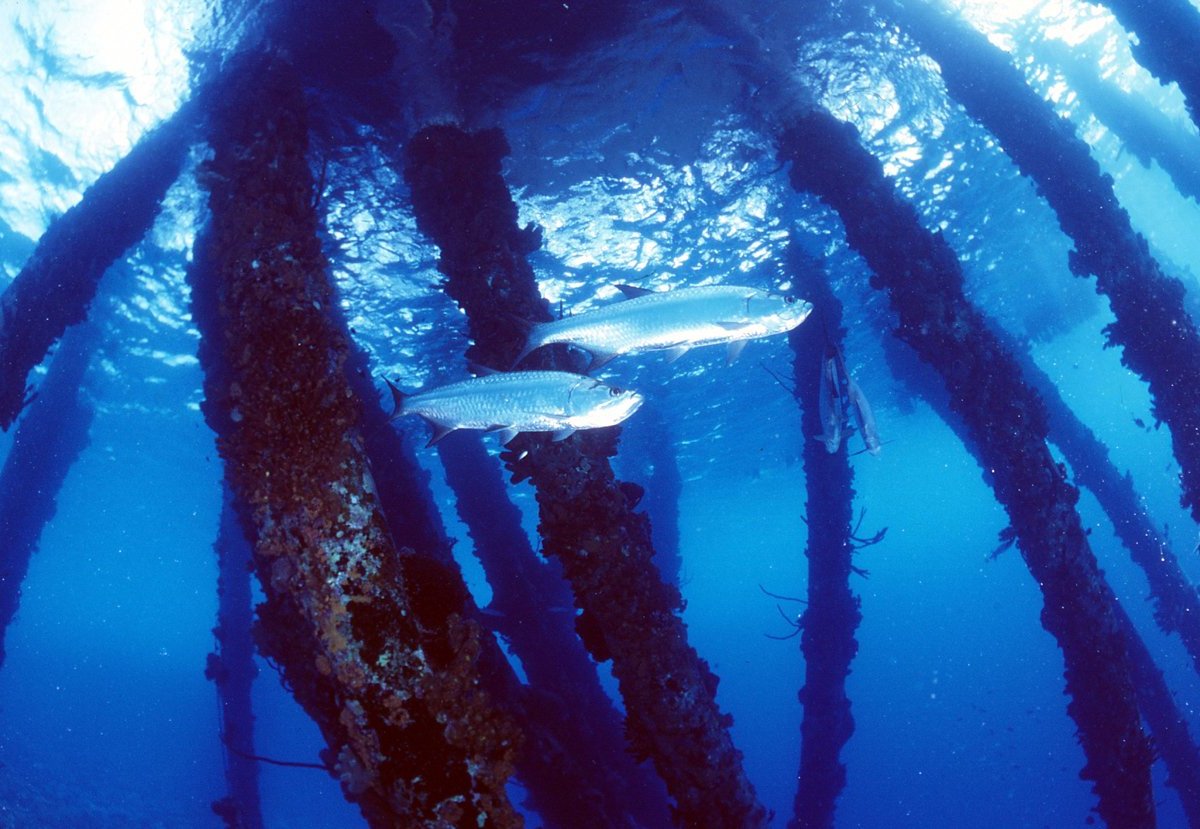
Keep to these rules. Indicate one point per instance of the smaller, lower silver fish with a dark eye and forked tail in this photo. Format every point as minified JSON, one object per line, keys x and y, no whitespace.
{"x":512,"y":403}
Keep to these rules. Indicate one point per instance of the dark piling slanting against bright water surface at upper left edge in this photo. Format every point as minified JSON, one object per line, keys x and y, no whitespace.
{"x":57,"y":286}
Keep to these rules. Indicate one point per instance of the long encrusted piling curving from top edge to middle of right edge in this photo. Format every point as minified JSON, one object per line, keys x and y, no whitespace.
{"x":1159,"y":338}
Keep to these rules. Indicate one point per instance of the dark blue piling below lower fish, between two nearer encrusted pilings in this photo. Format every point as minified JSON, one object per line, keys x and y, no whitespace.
{"x":586,"y":778}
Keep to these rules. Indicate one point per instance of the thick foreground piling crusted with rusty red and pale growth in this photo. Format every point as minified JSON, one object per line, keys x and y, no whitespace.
{"x":369,"y":639}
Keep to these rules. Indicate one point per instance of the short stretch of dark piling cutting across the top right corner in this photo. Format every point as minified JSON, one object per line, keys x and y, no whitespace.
{"x":1167,"y":43}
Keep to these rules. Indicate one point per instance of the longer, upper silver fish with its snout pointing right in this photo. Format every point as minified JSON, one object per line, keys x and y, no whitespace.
{"x":674,"y":321}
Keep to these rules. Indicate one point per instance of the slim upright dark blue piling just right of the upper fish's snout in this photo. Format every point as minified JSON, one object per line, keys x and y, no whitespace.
{"x":832,"y":615}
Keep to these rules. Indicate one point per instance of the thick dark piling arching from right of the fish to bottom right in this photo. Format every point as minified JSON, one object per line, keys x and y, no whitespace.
{"x":1007,"y":422}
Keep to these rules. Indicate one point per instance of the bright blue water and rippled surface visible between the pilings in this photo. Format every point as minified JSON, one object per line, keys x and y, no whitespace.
{"x":643,"y":161}
